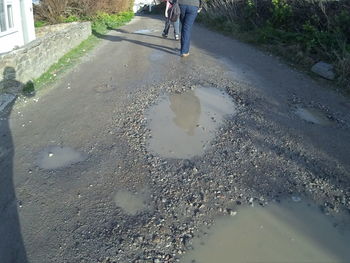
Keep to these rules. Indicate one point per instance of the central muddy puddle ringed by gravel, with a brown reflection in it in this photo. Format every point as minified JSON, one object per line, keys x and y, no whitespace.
{"x":183,"y":124}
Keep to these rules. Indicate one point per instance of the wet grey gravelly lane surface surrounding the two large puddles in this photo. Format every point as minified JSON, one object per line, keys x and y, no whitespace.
{"x":264,"y":152}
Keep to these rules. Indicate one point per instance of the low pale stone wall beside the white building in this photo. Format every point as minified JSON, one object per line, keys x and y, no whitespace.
{"x":32,"y":60}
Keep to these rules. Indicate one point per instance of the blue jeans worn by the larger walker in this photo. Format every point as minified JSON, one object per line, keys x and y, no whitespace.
{"x":187,"y":17}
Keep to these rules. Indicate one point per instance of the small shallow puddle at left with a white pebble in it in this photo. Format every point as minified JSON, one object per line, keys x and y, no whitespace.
{"x":55,"y":157}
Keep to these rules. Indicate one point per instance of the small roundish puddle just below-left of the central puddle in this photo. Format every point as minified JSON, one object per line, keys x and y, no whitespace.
{"x":131,"y":203}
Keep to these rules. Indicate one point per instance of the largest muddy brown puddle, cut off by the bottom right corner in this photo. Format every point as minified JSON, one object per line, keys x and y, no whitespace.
{"x":279,"y":233}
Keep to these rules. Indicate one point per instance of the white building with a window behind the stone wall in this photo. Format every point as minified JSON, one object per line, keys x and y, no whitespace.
{"x":16,"y":24}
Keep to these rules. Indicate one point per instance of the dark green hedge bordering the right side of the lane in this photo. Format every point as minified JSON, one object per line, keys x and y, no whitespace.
{"x":315,"y":30}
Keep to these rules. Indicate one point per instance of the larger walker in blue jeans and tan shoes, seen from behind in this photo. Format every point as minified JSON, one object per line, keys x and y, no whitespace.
{"x":189,"y":10}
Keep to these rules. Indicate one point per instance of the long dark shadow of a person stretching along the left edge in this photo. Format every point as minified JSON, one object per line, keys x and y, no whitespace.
{"x":11,"y":243}
